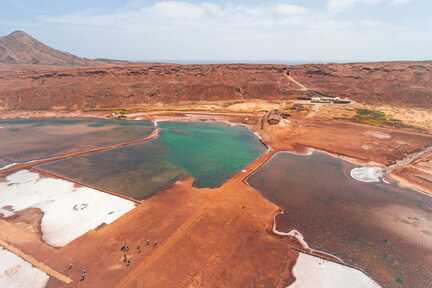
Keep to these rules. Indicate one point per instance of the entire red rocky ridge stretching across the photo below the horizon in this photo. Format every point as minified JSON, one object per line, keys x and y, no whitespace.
{"x":136,"y":86}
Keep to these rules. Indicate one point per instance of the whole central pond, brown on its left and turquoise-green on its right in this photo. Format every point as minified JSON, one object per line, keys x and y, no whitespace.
{"x":209,"y":152}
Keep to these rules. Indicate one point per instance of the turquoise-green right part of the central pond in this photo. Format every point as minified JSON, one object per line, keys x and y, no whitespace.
{"x":211,"y":152}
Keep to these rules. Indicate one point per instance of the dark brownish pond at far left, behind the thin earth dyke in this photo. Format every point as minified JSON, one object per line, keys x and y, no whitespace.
{"x":23,"y":140}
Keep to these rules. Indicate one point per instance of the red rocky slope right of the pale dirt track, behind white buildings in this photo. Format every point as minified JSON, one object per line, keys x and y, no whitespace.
{"x":391,"y":83}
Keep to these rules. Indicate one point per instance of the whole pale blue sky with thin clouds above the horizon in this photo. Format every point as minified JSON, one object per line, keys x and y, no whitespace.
{"x":228,"y":30}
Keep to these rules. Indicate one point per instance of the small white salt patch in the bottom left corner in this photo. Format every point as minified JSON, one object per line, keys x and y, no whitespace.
{"x":17,"y":273}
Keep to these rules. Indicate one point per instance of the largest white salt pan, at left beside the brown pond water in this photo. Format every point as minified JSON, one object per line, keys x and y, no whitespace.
{"x":69,"y":211}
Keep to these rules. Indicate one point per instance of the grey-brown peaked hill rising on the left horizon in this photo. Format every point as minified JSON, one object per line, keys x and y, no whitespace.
{"x":21,"y":48}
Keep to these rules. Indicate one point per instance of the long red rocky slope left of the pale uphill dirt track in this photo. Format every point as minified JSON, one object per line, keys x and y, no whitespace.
{"x":138,"y":85}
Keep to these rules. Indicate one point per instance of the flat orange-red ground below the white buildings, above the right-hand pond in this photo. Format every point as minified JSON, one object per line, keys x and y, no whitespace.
{"x":352,"y":140}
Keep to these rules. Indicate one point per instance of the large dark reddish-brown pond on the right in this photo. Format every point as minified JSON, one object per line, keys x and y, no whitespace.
{"x":382,"y":228}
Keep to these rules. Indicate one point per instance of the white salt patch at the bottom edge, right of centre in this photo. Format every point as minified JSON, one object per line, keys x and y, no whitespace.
{"x":313,"y":272}
